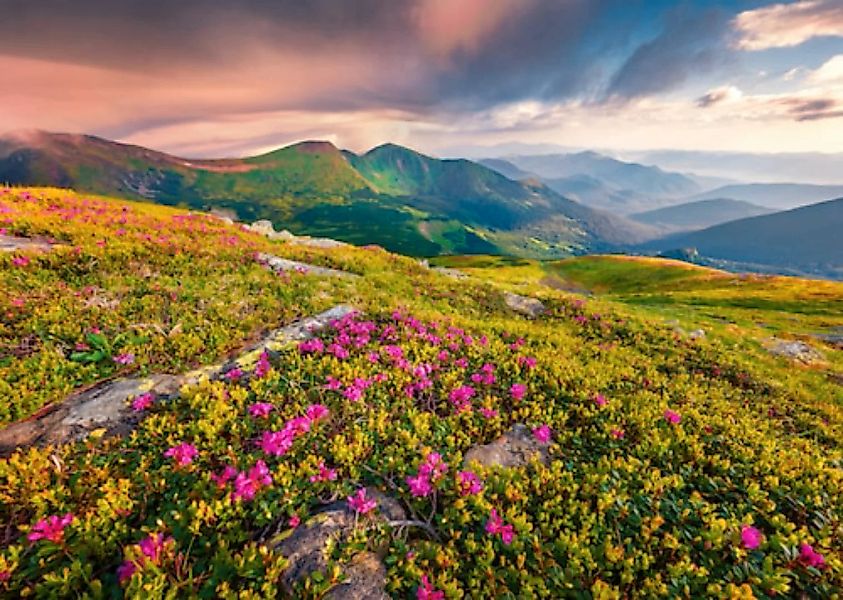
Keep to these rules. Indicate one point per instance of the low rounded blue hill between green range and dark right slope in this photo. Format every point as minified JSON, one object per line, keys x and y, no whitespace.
{"x":700,"y":214}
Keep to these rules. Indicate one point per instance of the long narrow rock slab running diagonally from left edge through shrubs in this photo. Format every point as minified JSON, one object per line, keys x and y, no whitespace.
{"x":106,"y":406}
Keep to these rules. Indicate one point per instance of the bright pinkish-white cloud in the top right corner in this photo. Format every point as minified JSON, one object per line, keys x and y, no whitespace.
{"x":783,"y":25}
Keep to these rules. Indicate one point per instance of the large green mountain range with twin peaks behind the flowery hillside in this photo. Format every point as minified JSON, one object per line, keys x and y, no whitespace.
{"x":392,"y":196}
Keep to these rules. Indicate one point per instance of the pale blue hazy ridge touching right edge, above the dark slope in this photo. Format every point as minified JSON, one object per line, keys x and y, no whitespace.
{"x":775,"y":195}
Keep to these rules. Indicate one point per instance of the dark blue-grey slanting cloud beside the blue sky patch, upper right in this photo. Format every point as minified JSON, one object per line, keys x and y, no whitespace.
{"x":689,"y":45}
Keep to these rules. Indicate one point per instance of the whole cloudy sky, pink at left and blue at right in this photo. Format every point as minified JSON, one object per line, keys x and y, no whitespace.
{"x":212,"y":78}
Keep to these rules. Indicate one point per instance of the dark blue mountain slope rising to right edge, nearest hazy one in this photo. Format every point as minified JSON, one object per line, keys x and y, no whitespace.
{"x":805,"y":240}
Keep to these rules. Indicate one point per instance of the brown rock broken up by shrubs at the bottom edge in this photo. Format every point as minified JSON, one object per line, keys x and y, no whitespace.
{"x":305,"y":549}
